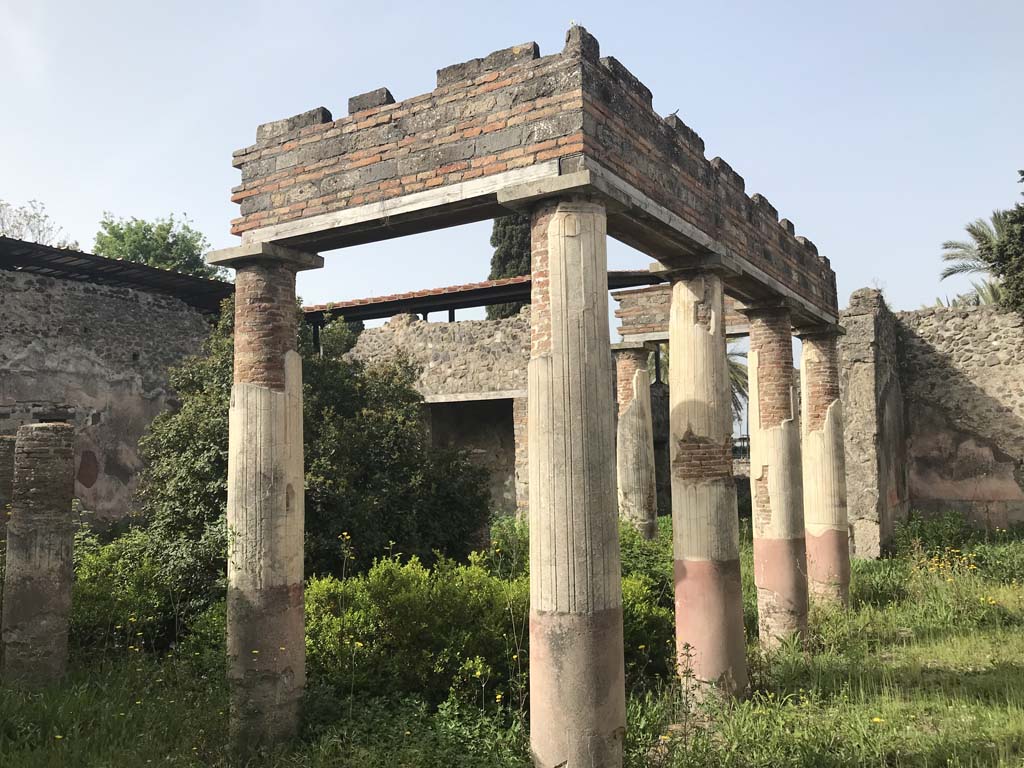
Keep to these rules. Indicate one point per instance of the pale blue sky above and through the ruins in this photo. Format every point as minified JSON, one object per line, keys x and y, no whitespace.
{"x":880,"y":129}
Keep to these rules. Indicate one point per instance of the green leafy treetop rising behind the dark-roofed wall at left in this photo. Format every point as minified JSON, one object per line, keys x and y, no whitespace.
{"x":167,"y":244}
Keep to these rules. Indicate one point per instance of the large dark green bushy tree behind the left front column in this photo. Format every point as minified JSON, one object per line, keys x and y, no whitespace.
{"x":371,"y":472}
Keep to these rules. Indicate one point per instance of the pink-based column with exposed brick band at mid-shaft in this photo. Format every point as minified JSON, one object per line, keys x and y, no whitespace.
{"x":705,"y":521}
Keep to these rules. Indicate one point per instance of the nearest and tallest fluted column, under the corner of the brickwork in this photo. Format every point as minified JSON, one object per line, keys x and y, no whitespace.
{"x":577,"y":680}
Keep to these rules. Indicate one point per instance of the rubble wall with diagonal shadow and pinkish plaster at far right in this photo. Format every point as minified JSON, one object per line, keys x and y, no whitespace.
{"x":963,"y":376}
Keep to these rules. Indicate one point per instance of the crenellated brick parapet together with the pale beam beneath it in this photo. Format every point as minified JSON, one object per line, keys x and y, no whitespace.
{"x":574,"y":120}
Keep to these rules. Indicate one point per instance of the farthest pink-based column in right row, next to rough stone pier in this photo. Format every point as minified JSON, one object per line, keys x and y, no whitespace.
{"x":825,"y":468}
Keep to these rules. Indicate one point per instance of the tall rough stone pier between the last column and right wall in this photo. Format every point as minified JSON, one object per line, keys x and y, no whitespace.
{"x":873,"y":408}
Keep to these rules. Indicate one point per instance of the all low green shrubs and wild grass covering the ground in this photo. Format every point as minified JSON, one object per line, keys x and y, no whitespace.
{"x":426,"y":666}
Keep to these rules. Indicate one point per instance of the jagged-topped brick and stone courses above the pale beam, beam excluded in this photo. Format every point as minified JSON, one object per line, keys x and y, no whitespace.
{"x":513,"y":110}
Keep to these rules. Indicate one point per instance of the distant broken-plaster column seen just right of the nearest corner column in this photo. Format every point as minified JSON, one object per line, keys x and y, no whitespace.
{"x":635,"y":442}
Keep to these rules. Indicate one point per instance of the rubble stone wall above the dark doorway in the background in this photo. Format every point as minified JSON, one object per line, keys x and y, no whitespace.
{"x":470,"y":360}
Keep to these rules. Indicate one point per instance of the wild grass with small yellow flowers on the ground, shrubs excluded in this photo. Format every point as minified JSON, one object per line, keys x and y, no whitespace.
{"x":926,"y":669}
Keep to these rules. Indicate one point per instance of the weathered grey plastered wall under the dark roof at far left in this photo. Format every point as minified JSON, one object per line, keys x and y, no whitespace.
{"x":100,"y":356}
